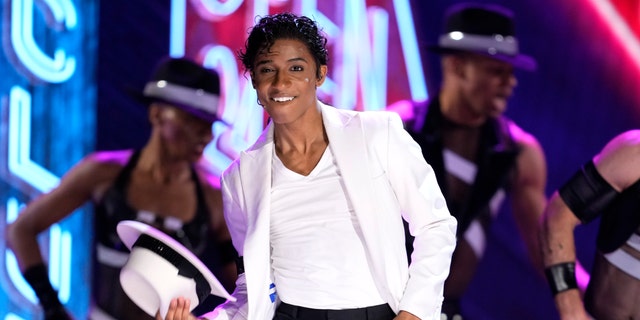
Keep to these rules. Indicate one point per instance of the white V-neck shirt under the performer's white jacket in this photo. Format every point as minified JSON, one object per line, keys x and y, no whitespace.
{"x":317,"y":253}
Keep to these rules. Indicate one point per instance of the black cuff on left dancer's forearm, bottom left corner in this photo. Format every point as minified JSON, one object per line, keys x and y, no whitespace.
{"x":37,"y":277}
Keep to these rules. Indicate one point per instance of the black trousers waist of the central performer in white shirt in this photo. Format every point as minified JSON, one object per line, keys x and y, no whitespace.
{"x":288,"y":312}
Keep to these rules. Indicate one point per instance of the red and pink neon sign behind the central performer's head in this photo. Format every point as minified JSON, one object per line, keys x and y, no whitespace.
{"x":374,"y":57}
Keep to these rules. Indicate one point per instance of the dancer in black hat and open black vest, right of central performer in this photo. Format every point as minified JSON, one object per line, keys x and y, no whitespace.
{"x":478,"y":154}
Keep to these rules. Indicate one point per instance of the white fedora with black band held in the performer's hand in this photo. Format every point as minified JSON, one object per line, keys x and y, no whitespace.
{"x":160,"y":269}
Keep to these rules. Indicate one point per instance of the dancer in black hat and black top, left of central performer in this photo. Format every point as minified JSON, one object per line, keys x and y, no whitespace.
{"x":163,"y":184}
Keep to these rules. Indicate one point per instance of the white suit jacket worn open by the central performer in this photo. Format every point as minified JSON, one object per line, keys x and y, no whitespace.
{"x":386,"y":177}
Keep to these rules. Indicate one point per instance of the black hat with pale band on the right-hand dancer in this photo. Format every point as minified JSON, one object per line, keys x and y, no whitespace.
{"x":486,"y":29}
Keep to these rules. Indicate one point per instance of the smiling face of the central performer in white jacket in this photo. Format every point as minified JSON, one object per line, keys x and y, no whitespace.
{"x":286,"y":80}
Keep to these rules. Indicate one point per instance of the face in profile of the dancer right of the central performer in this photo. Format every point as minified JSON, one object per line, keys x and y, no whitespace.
{"x":486,"y":84}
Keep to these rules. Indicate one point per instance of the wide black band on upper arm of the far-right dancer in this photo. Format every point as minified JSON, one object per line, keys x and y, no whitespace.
{"x":587,"y":194}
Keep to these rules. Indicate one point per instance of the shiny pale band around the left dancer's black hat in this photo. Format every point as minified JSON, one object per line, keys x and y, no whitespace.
{"x":196,"y":98}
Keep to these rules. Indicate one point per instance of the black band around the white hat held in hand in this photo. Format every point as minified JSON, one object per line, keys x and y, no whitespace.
{"x":185,"y":268}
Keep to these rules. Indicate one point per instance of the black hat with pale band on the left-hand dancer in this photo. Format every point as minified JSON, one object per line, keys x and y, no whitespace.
{"x":187,"y":85}
